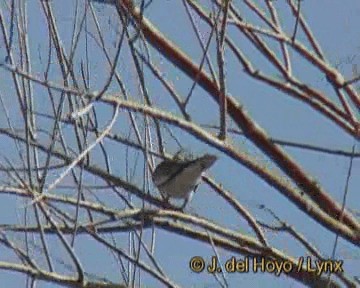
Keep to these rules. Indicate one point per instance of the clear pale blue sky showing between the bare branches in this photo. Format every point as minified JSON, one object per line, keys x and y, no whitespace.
{"x":334,"y":24}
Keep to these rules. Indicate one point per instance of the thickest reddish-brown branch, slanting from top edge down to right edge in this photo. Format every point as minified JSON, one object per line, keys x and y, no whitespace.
{"x":250,"y":129}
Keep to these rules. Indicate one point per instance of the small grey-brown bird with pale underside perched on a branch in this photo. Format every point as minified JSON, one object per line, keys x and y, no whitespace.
{"x":180,"y":178}
